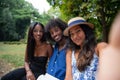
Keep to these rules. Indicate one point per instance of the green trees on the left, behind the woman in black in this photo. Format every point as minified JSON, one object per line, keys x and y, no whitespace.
{"x":15,"y":17}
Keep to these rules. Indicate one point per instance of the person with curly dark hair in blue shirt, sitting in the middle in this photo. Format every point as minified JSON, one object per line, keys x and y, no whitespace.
{"x":57,"y":64}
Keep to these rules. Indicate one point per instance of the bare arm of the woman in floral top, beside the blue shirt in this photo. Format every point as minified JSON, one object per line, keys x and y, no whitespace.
{"x":68,"y":65}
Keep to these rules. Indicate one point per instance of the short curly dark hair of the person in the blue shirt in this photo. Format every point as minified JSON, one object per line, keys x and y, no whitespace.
{"x":55,"y":22}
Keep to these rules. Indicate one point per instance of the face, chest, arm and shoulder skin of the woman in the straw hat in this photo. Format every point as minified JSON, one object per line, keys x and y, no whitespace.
{"x":77,"y":35}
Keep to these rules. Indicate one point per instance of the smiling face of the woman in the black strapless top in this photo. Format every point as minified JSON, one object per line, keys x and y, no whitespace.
{"x":37,"y":32}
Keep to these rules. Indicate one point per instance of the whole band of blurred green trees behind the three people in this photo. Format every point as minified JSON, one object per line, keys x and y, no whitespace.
{"x":16,"y":15}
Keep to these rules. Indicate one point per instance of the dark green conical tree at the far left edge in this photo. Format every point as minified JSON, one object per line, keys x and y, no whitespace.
{"x":8,"y":29}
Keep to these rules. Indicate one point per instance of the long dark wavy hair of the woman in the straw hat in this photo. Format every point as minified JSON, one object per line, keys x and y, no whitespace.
{"x":87,"y":50}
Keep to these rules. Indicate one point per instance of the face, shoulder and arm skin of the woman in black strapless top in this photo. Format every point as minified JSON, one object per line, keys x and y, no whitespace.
{"x":41,"y":49}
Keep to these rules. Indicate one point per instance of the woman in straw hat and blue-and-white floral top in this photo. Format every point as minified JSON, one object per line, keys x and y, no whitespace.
{"x":82,"y":56}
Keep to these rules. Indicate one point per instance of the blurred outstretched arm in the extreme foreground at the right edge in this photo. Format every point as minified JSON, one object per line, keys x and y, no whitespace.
{"x":109,"y":63}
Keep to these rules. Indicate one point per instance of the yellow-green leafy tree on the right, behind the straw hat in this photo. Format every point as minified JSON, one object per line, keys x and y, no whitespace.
{"x":103,"y":12}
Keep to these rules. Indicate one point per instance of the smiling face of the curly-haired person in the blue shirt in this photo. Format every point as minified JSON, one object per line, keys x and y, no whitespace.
{"x":56,"y":33}
